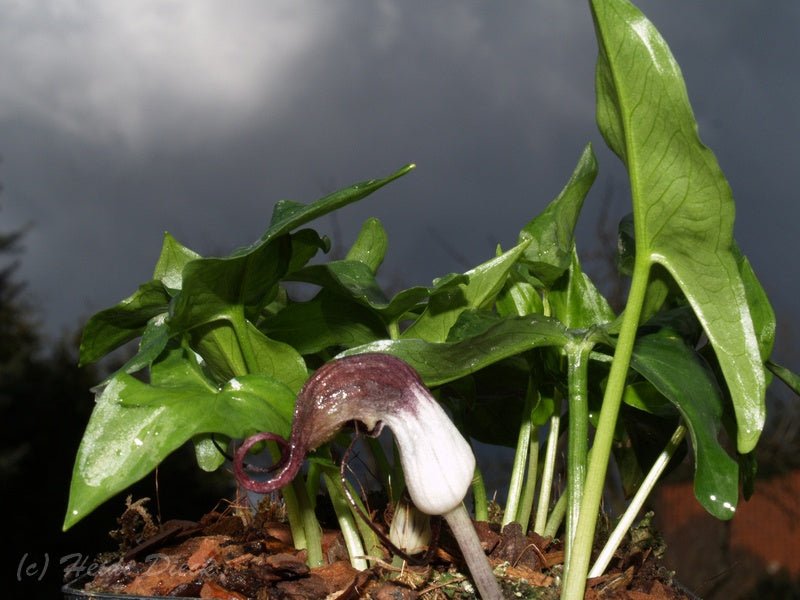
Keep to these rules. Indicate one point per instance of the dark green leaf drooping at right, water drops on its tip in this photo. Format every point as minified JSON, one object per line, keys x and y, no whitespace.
{"x":679,"y":373}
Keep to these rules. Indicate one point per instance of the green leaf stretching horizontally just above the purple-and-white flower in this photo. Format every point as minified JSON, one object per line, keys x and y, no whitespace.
{"x":440,"y":362}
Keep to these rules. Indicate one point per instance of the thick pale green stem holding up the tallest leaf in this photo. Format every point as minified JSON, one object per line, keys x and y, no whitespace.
{"x":578,"y":567}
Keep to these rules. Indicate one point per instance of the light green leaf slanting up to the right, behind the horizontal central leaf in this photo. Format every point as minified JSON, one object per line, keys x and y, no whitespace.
{"x":485,"y":282}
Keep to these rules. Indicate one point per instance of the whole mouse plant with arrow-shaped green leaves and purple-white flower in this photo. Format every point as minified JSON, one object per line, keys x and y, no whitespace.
{"x":522,"y":350}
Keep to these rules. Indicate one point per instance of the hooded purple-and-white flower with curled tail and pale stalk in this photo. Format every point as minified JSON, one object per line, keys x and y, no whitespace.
{"x":377,"y":390}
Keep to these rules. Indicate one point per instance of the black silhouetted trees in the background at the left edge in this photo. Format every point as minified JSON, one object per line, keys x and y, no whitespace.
{"x":45,"y":404}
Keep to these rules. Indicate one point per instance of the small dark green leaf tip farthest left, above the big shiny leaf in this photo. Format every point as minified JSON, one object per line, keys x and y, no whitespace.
{"x":111,"y":328}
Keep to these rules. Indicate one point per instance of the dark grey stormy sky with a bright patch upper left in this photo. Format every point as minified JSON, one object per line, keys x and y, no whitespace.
{"x":121,"y":120}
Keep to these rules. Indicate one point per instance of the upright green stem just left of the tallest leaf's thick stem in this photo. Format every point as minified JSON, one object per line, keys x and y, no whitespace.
{"x":578,"y":440}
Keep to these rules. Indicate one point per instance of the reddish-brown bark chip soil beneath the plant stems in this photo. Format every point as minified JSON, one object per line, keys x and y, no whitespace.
{"x":237,"y":556}
